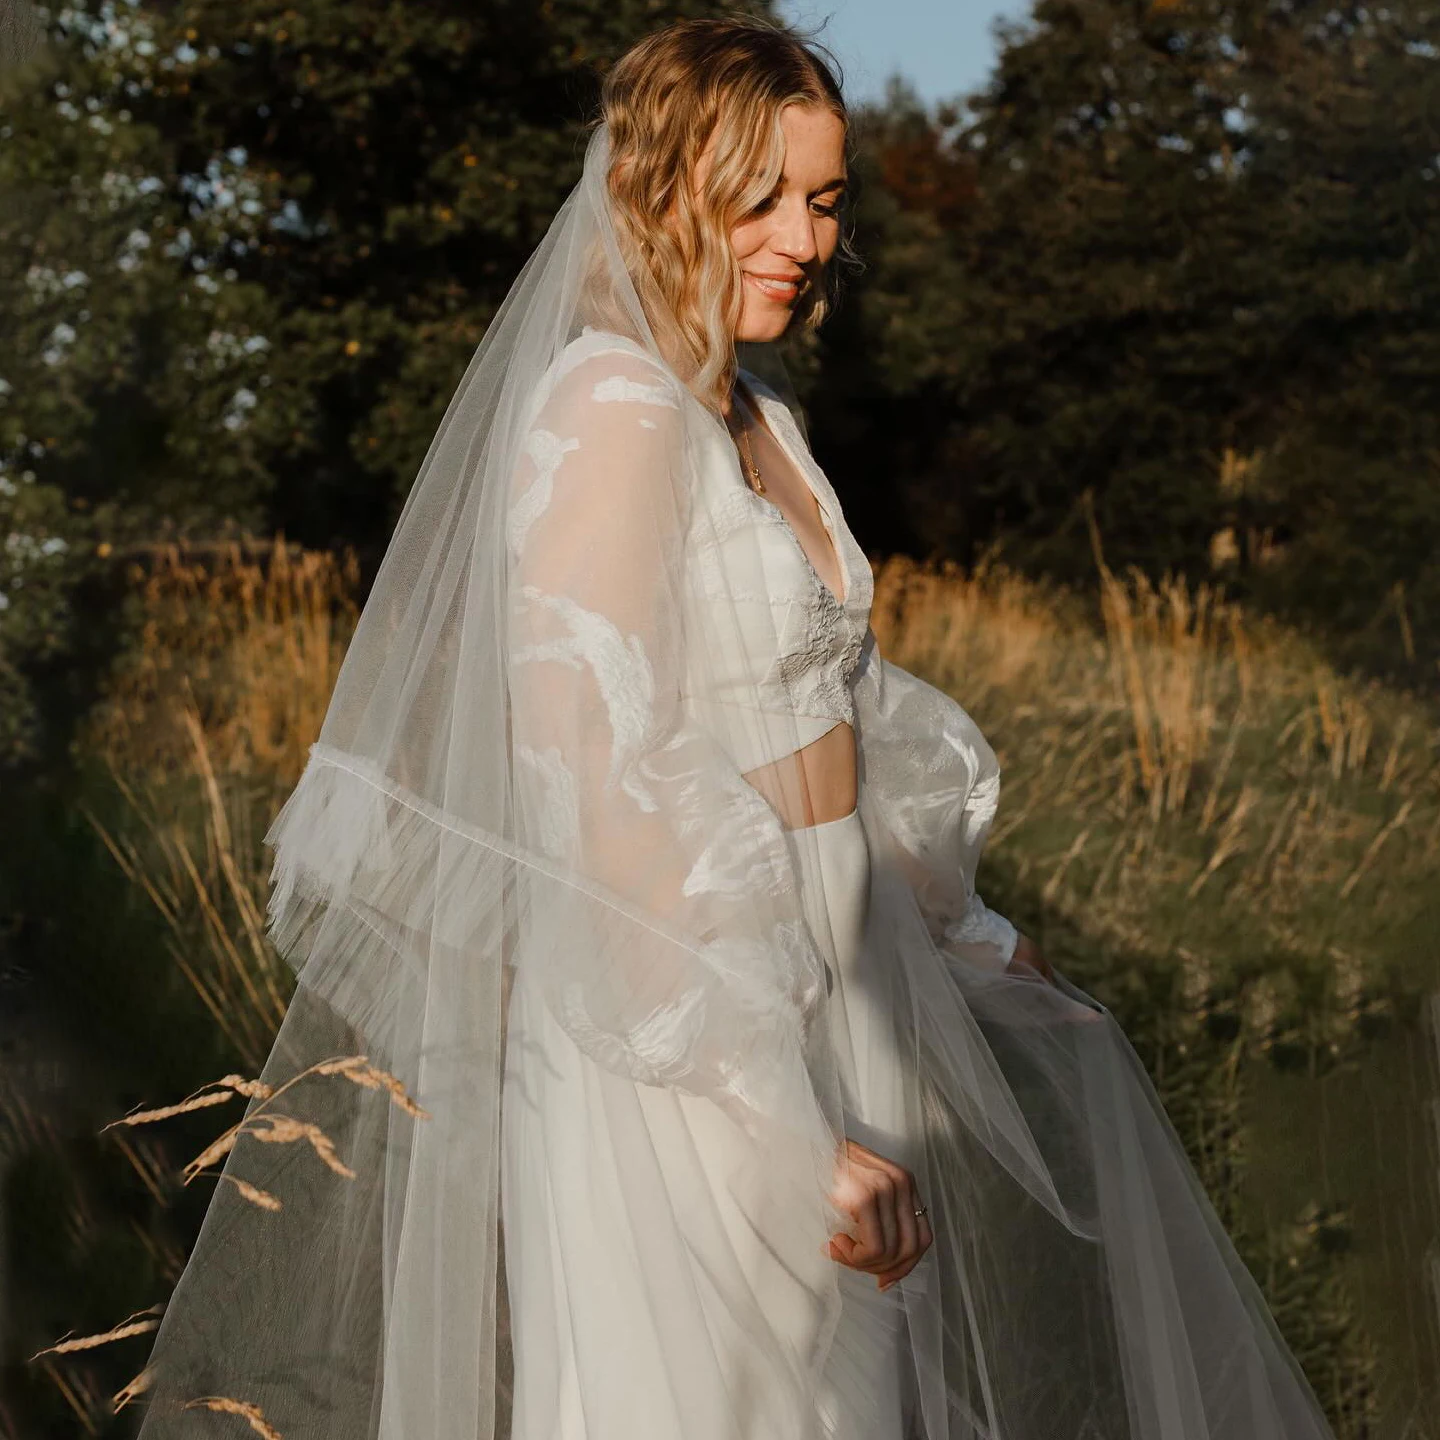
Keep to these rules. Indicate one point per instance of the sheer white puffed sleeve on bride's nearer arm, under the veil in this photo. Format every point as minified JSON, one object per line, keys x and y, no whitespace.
{"x":666,"y":963}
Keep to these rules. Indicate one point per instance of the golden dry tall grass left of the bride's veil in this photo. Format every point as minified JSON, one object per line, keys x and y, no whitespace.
{"x":204,"y":729}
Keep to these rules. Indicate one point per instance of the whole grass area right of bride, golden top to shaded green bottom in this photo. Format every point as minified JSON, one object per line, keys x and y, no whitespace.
{"x":1238,"y":850}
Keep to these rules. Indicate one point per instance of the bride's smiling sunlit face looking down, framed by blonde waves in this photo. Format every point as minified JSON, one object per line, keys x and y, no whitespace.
{"x":786,"y":246}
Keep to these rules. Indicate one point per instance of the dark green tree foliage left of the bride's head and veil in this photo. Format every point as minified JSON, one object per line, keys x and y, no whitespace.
{"x":246,"y":253}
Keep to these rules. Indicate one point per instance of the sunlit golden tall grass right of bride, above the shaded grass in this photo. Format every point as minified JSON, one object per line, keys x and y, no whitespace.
{"x":1183,"y":773}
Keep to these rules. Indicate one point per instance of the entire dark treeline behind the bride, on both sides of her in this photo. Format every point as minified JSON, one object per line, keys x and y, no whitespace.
{"x":1179,"y":258}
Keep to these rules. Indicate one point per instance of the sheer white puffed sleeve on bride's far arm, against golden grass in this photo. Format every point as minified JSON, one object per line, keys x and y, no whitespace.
{"x":937,"y":781}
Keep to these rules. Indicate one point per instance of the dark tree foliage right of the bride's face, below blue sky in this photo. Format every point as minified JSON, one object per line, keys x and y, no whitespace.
{"x":1184,"y":258}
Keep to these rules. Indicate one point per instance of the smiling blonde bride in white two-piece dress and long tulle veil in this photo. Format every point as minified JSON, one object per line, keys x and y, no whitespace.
{"x":654,"y":1068}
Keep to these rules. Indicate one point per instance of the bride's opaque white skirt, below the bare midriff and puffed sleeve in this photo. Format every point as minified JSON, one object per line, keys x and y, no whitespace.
{"x":620,"y":1327}
